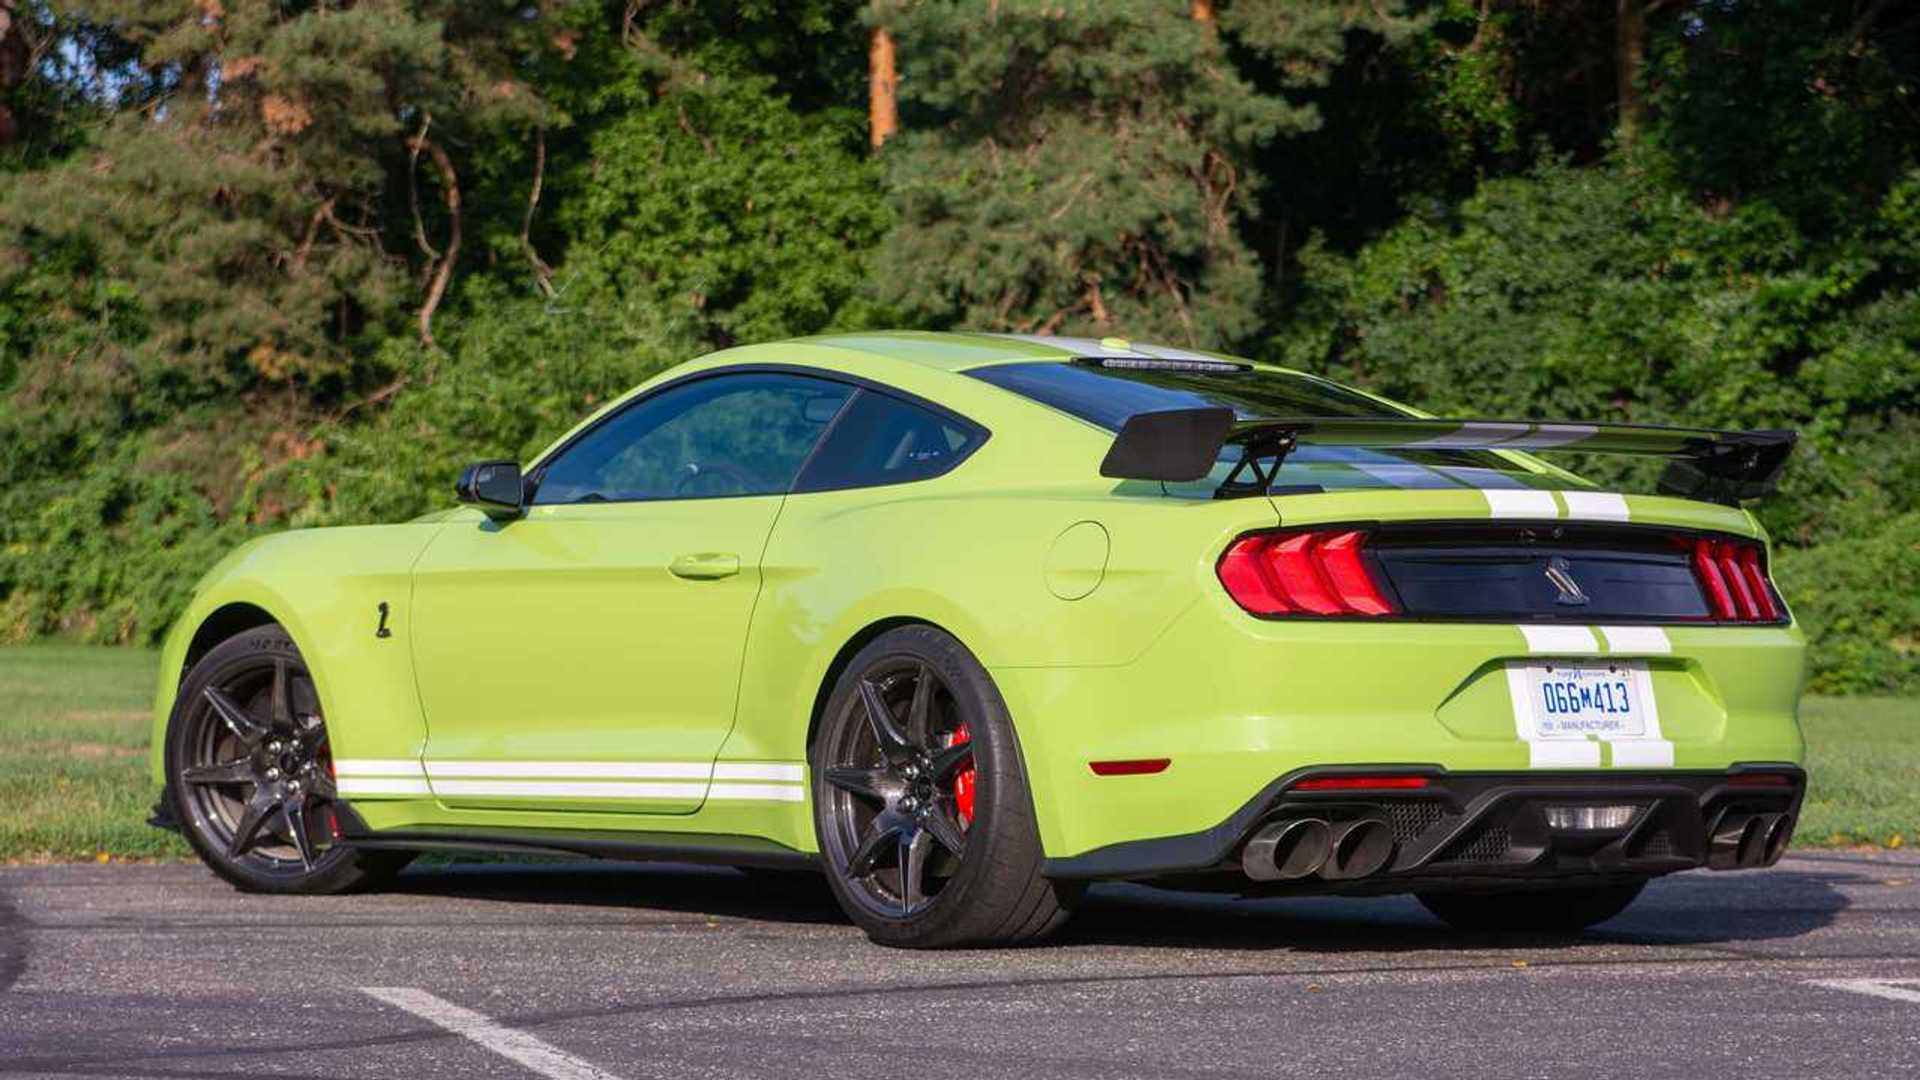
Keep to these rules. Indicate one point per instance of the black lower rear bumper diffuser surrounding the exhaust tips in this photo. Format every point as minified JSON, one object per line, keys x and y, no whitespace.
{"x":1481,"y":829}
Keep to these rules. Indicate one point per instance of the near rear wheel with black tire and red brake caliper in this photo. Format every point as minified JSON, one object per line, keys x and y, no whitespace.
{"x":980,"y":881}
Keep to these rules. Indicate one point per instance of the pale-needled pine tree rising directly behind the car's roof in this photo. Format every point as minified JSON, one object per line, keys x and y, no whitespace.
{"x":1076,"y":166}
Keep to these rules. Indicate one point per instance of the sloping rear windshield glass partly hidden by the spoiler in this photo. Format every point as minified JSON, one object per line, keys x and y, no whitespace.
{"x":1109,"y":397}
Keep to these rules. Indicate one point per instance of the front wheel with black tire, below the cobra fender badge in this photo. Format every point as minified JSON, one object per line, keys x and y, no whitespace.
{"x":245,"y":710}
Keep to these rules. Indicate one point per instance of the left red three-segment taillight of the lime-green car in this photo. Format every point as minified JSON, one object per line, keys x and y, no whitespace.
{"x":1305,"y":574}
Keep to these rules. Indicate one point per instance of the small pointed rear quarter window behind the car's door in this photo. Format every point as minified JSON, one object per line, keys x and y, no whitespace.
{"x":886,"y":441}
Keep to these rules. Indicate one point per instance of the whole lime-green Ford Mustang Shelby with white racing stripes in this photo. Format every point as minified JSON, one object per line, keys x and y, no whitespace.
{"x":969,"y":622}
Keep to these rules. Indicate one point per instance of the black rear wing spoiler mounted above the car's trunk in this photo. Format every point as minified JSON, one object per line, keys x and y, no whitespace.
{"x":1184,"y":445}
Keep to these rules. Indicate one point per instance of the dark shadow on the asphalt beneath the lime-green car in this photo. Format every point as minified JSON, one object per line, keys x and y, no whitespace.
{"x":1685,"y":910}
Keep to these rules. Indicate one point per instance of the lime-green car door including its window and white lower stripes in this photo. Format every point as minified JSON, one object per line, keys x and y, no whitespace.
{"x":587,"y":656}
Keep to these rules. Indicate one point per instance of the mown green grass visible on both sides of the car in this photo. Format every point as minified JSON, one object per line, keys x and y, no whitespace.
{"x":74,"y":729}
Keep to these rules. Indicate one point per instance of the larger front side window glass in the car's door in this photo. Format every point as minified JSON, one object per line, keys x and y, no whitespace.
{"x":729,"y":435}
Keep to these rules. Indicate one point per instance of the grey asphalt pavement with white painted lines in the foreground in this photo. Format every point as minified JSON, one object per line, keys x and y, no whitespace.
{"x":594,"y":971}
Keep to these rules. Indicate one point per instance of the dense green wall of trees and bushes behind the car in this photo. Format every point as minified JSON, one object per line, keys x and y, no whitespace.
{"x":272,"y":264}
